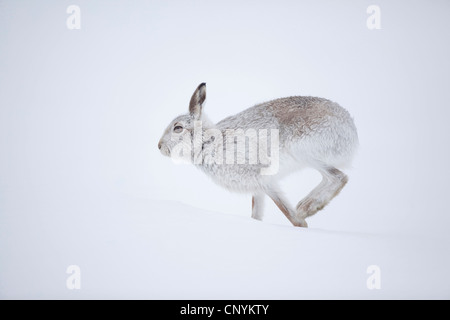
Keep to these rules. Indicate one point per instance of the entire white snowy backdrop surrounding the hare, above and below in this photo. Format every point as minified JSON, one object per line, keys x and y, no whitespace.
{"x":82,"y":182}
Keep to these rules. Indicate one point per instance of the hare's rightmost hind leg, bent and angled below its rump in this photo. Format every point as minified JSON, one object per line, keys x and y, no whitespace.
{"x":333,"y":180}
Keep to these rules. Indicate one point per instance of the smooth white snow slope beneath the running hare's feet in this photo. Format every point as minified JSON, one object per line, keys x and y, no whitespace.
{"x":139,"y":248}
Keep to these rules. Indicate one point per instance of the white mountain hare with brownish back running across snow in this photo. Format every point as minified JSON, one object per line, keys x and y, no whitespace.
{"x":304,"y":132}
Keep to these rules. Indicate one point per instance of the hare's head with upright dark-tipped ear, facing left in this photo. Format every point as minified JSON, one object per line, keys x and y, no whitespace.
{"x":180,"y":132}
